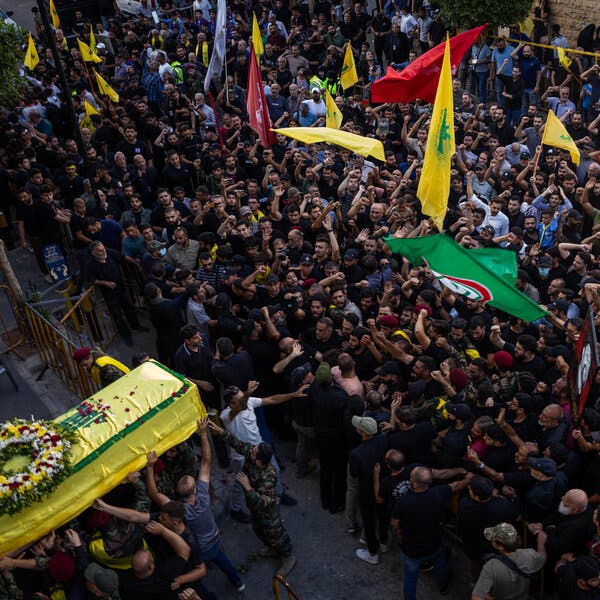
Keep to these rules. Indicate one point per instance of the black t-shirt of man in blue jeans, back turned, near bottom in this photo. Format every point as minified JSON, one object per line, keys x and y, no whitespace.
{"x":420,"y":515}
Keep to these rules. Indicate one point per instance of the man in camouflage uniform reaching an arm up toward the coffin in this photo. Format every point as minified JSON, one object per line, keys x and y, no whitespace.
{"x":258,"y":480}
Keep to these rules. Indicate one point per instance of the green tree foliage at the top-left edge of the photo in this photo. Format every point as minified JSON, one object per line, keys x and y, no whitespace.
{"x":11,"y":56}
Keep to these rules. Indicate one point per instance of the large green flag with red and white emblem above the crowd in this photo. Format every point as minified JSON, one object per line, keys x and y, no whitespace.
{"x":486,"y":275}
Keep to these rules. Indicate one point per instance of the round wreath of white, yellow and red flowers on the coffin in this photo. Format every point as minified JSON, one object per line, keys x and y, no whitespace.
{"x":42,"y":450}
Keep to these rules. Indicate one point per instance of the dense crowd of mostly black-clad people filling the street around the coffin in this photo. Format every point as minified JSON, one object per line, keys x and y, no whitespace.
{"x":270,"y":286}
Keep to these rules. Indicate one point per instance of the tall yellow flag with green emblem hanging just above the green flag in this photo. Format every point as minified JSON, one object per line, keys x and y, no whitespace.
{"x":434,"y":185}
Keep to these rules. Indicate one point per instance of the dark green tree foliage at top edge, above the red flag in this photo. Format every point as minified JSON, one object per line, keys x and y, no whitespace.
{"x":472,"y":13}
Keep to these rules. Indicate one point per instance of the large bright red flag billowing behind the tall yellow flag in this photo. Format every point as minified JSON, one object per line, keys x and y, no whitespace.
{"x":420,"y":78}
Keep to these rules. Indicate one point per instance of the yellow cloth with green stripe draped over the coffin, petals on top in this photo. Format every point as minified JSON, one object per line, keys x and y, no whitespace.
{"x":149,"y":409}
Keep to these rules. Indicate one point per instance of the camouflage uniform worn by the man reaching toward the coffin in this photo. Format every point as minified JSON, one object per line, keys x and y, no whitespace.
{"x":262,"y":500}
